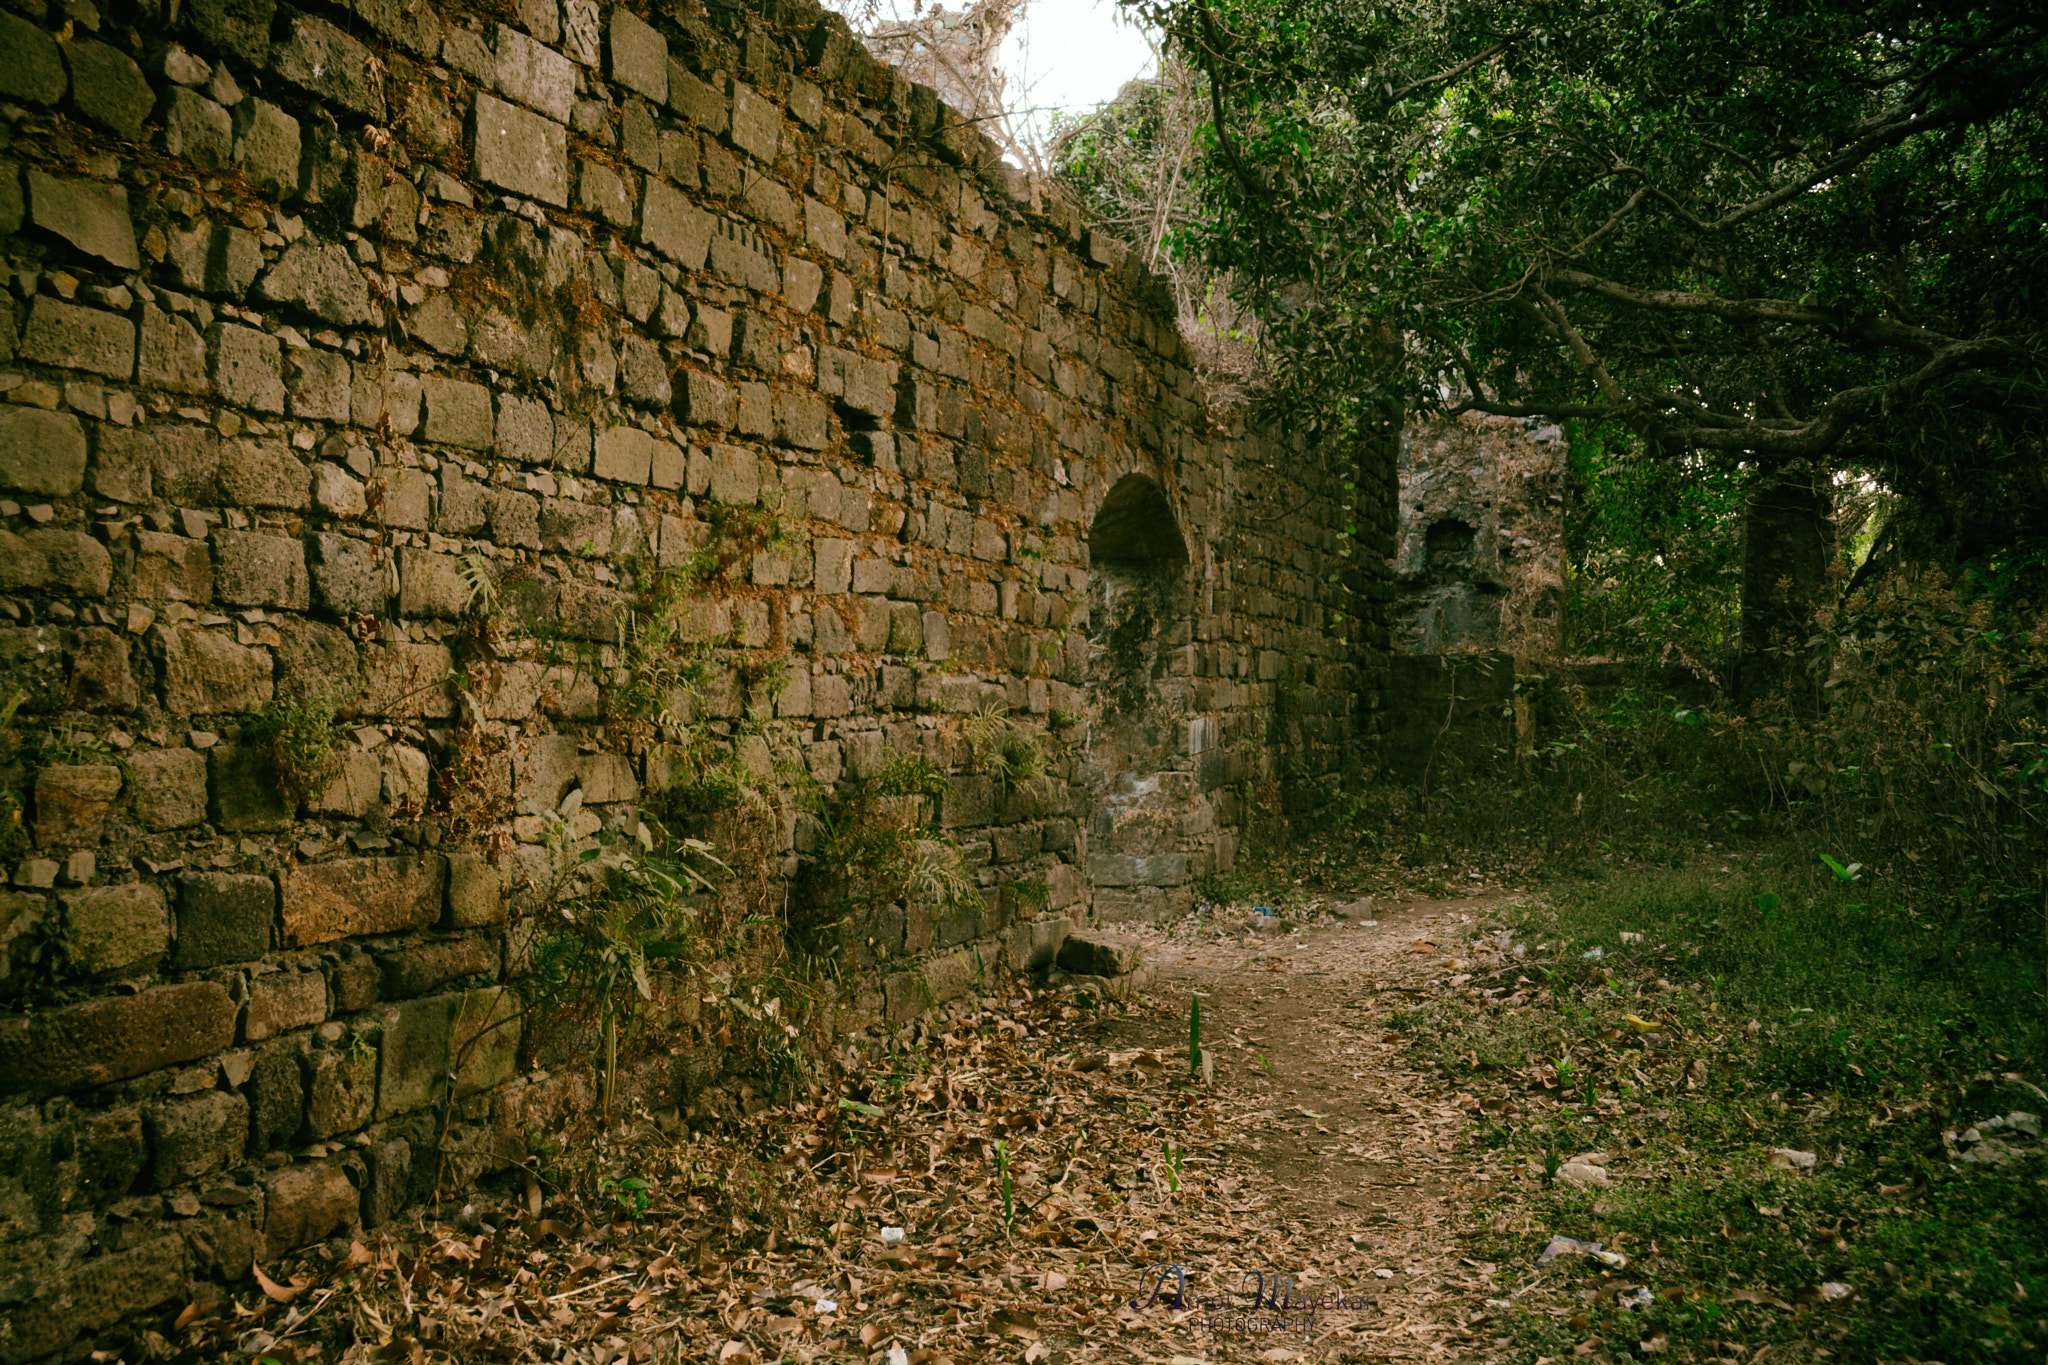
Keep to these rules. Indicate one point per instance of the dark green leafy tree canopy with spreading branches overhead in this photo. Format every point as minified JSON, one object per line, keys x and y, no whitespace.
{"x":1783,"y":230}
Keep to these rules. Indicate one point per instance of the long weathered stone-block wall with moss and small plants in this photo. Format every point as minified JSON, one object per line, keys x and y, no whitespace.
{"x":476,"y":376}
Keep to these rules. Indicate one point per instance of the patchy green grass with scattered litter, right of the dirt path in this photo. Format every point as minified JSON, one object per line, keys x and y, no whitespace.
{"x":1785,"y":1010}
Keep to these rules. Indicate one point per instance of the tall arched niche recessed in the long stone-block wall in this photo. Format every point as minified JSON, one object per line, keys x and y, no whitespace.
{"x":1142,"y":699}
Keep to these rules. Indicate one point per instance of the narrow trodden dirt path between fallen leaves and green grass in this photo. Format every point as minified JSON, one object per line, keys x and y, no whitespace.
{"x":1353,"y":1151}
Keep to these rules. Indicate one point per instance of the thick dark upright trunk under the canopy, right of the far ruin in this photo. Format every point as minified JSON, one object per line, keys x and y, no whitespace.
{"x":1789,"y":539}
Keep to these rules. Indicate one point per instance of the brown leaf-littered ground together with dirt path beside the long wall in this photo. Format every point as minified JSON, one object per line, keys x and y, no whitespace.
{"x":992,"y":1190}
